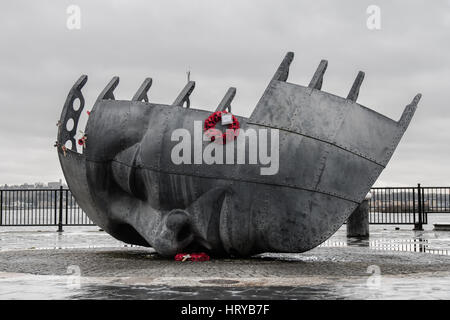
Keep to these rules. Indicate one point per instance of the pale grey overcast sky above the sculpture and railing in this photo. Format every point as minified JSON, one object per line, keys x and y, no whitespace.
{"x":224,"y":43}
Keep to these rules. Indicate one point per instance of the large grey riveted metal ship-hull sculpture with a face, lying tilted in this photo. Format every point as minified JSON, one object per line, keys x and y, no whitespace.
{"x":331,"y":151}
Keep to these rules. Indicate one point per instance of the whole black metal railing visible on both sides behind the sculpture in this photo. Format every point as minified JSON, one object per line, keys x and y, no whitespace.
{"x":57,"y":207}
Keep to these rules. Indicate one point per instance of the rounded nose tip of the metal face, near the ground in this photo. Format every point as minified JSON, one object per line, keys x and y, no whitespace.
{"x":175,"y":233}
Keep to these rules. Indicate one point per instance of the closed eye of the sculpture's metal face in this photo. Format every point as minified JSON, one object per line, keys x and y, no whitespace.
{"x":126,"y":174}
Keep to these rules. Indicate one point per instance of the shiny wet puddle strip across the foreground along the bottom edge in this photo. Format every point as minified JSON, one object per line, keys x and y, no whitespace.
{"x":389,"y":287}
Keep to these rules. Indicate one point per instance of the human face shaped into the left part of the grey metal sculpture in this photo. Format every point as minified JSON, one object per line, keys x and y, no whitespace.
{"x":141,"y":199}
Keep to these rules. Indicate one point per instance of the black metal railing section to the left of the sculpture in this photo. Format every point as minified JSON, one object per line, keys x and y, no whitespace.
{"x":41,"y":207}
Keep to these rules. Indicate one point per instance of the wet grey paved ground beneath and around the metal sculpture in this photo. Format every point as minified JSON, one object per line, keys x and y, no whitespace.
{"x":84,"y":263}
